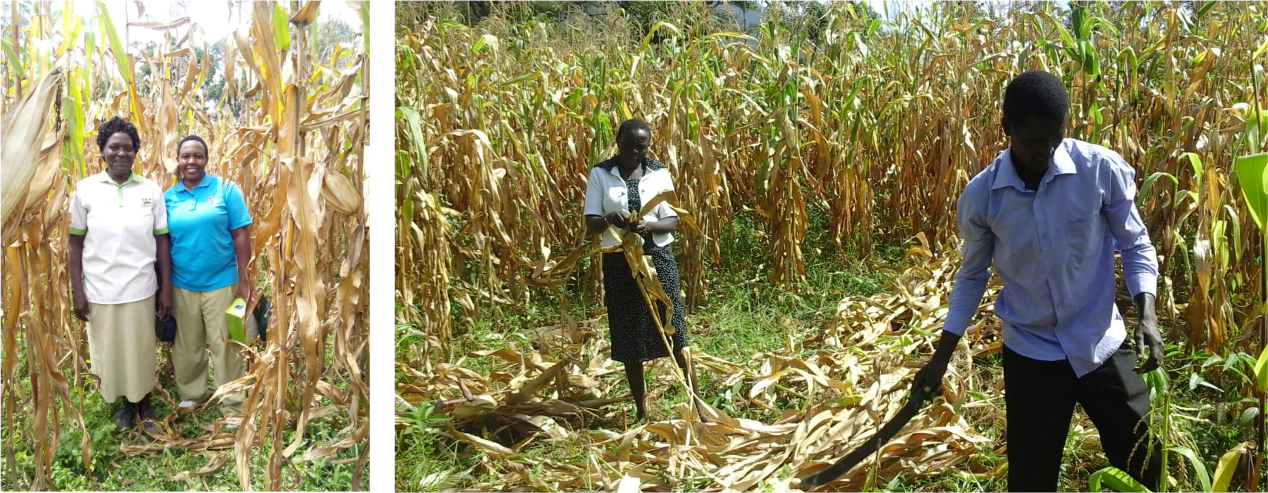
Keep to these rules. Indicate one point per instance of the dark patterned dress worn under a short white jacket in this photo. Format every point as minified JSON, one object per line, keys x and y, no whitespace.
{"x":633,"y":333}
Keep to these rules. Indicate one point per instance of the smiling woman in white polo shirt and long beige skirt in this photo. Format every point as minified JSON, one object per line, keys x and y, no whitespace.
{"x":119,"y":233}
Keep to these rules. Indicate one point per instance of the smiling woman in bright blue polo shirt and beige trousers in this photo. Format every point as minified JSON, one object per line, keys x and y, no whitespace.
{"x":209,"y":222}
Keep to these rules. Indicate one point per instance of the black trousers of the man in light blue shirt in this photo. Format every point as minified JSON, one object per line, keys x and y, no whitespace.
{"x":1039,"y":399}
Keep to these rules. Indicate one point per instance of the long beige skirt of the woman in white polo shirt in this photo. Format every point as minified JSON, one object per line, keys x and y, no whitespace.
{"x":121,"y":344}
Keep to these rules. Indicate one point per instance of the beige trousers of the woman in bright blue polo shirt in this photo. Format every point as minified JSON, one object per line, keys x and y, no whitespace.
{"x":201,"y":326}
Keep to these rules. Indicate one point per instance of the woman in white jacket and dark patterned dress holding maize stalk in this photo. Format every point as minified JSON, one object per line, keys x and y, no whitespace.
{"x":618,"y":188}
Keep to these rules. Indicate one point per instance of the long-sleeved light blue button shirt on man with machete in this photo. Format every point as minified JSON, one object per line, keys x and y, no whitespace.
{"x":1054,"y":250}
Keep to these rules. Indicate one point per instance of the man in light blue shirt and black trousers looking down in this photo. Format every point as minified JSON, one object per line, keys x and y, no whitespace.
{"x":1049,"y":214}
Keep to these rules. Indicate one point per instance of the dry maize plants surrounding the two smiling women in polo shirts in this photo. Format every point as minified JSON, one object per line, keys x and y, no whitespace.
{"x":300,"y":153}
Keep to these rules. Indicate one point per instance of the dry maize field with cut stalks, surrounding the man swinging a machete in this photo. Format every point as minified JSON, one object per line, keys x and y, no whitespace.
{"x":878,"y":125}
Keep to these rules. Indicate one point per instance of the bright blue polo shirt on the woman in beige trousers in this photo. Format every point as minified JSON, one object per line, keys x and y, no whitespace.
{"x":200,"y":222}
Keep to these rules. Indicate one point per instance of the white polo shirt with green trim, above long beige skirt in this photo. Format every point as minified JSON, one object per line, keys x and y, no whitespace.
{"x":119,"y":224}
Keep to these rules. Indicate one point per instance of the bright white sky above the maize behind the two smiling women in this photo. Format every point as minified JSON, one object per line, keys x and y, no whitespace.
{"x":214,"y":17}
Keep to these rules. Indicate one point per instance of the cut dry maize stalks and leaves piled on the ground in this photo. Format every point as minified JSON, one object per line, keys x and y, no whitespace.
{"x":845,"y":381}
